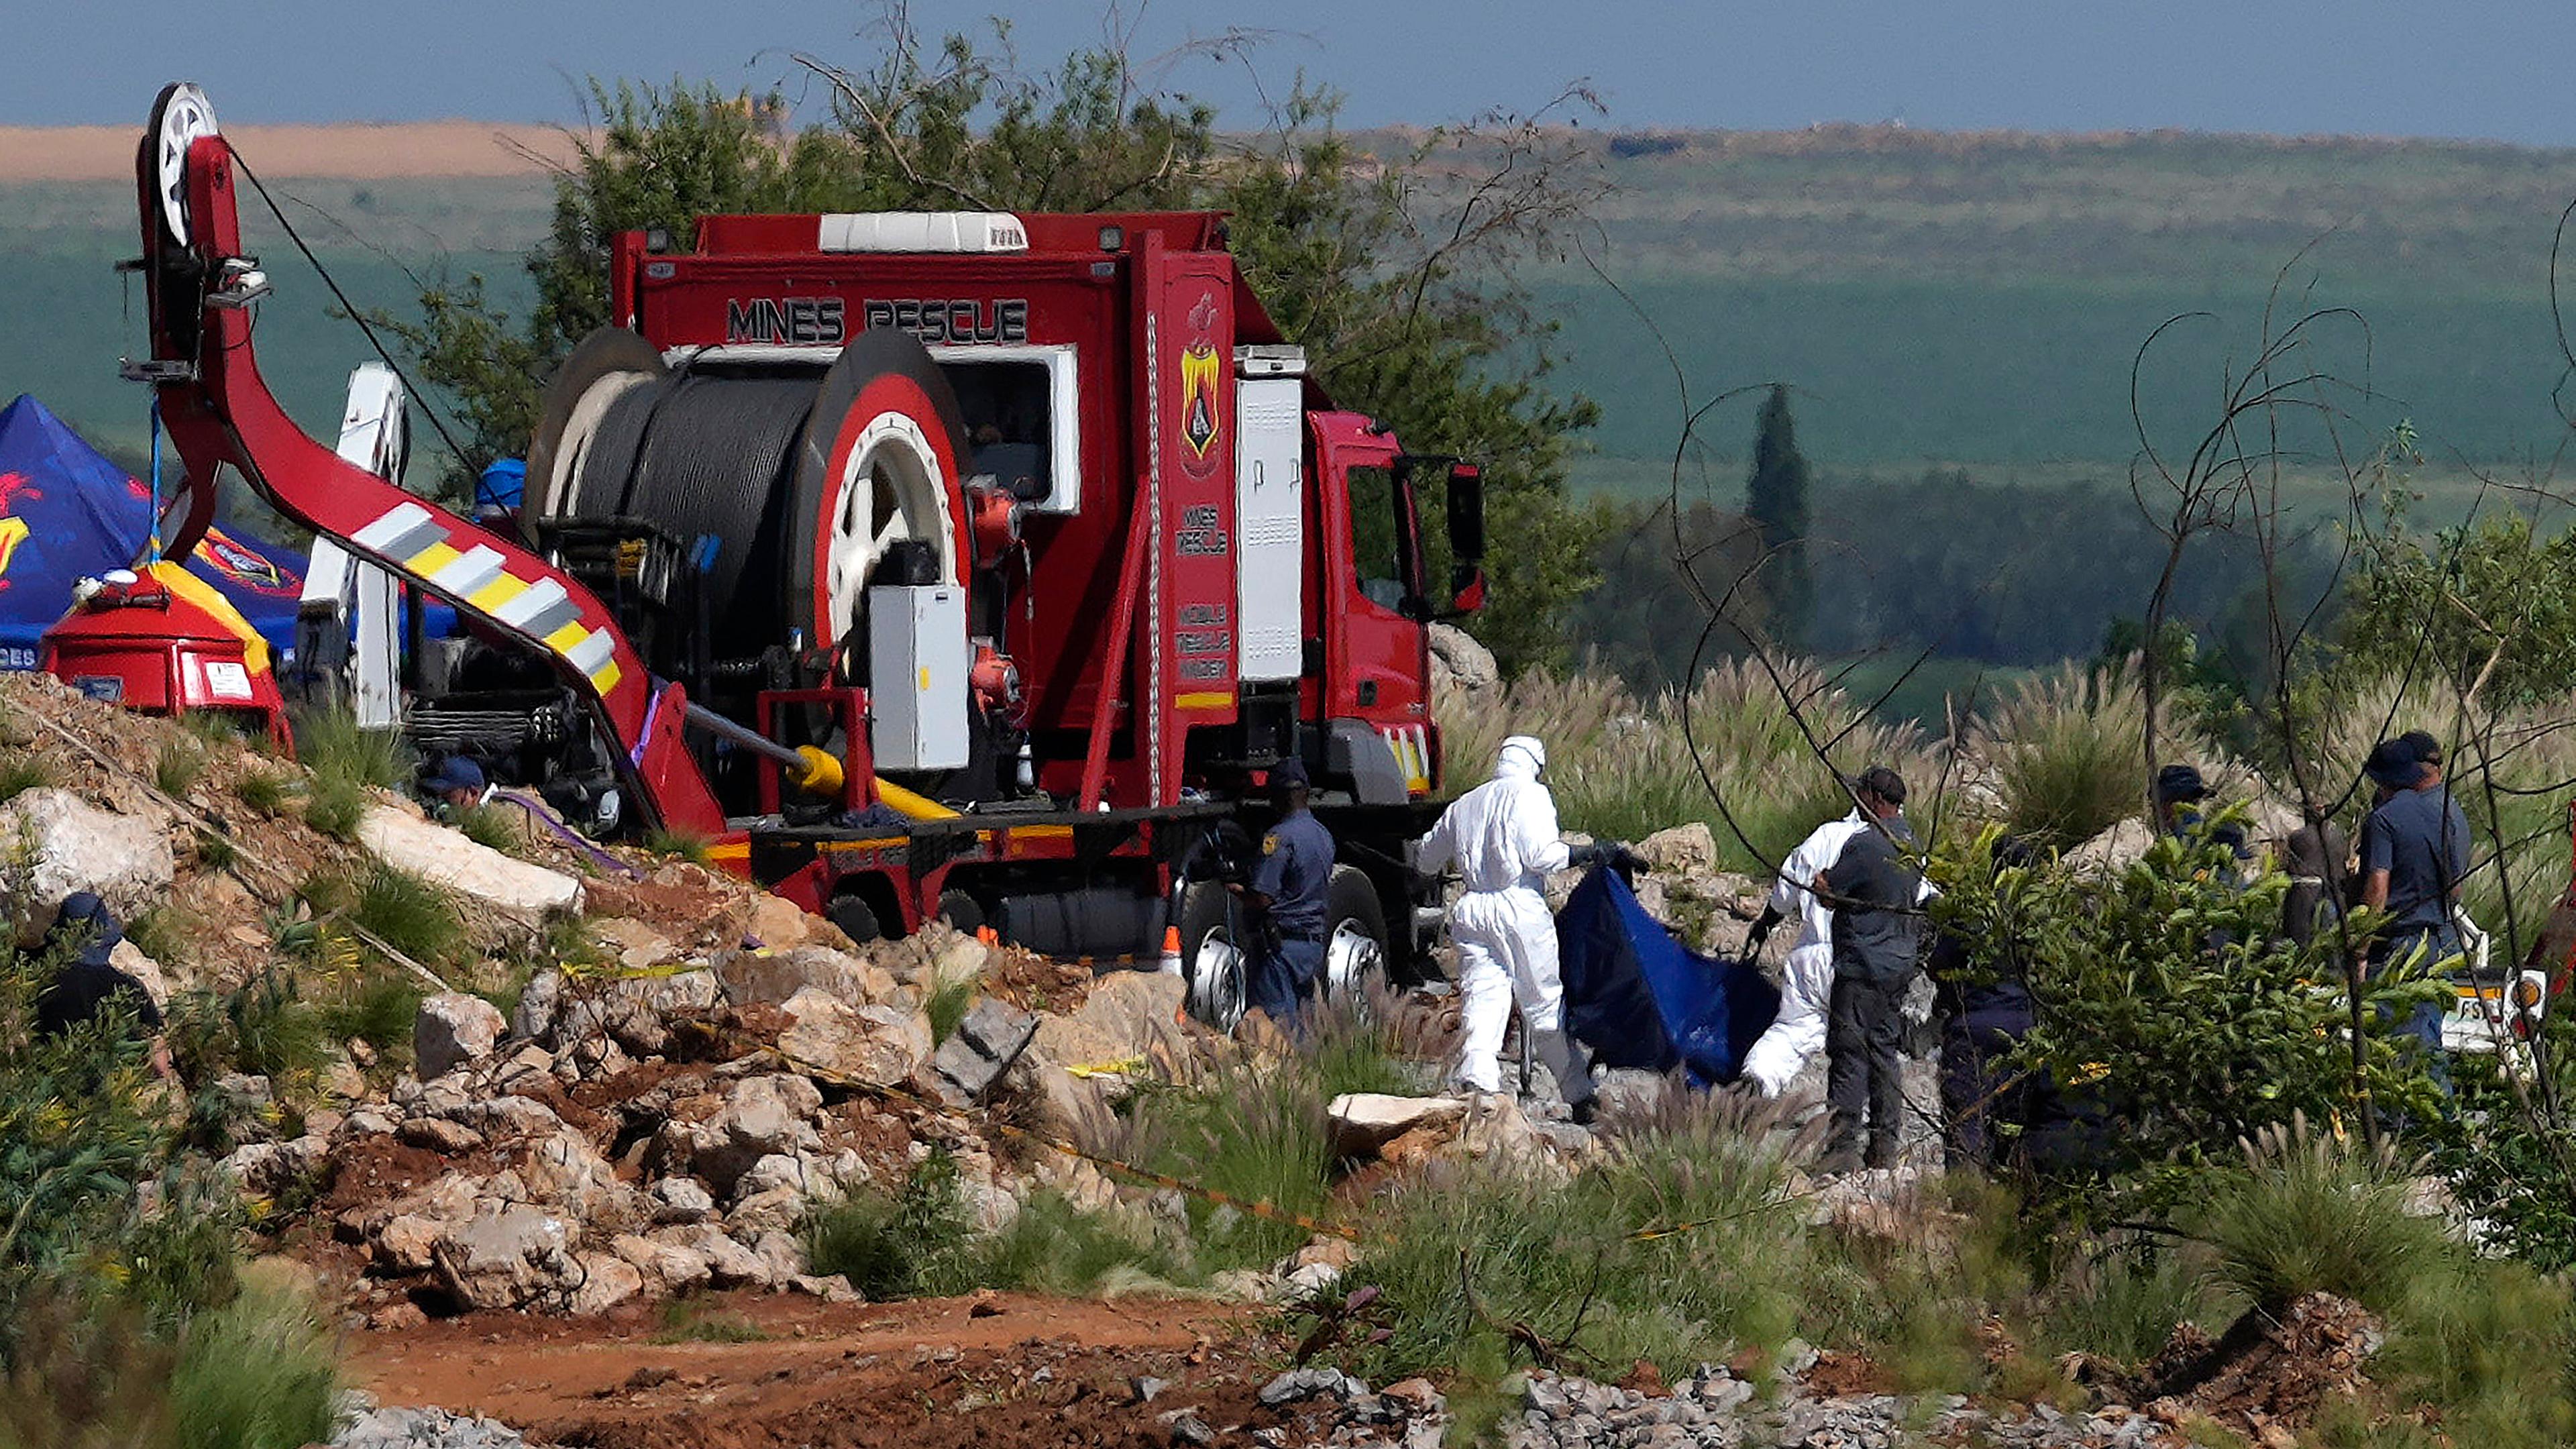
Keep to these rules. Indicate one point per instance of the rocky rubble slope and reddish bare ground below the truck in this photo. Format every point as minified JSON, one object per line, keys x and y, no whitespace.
{"x":535,"y":1221}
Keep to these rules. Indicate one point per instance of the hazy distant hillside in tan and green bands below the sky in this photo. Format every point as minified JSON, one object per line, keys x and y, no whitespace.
{"x":1936,"y":298}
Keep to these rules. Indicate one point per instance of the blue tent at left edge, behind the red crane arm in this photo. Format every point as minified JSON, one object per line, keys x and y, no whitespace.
{"x":66,"y":512}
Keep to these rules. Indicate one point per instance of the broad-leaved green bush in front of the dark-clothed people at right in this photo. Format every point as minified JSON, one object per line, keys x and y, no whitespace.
{"x":2170,"y":1017}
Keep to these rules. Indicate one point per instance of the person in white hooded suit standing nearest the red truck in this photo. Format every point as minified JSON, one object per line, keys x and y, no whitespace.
{"x":1503,"y":839}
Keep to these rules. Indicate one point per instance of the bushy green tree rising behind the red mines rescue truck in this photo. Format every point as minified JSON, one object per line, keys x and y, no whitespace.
{"x":1390,"y":269}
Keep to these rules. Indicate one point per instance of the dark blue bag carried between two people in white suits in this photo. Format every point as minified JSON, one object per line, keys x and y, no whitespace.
{"x":1640,"y":999}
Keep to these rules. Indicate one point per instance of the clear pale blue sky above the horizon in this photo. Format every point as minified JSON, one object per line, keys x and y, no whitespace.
{"x":2420,"y":68}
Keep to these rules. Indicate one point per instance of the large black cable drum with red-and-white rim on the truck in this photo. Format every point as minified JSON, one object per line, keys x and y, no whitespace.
{"x":810,"y":478}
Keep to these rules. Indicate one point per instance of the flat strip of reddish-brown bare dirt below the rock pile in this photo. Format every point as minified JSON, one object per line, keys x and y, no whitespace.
{"x":990,"y":1373}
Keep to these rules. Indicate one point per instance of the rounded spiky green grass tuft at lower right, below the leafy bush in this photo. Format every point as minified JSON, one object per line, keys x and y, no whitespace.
{"x":2315,"y":1213}
